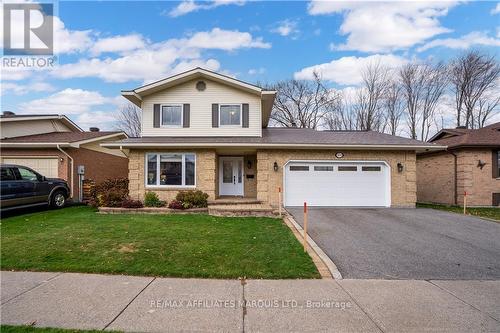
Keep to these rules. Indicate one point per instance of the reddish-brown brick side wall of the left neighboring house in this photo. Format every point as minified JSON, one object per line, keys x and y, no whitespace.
{"x":98,"y":166}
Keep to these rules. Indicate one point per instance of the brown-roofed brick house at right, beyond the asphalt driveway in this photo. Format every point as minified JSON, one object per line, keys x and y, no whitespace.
{"x":470,"y":164}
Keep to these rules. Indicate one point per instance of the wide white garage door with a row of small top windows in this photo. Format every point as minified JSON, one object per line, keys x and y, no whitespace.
{"x":360,"y":184}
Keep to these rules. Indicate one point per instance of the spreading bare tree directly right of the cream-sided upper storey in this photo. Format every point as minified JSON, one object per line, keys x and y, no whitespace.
{"x":302,"y":103}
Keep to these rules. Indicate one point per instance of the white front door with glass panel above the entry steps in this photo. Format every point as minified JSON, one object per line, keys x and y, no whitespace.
{"x":231,"y":176}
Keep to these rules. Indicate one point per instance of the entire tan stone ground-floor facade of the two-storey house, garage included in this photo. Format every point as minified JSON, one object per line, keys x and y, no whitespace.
{"x":266,"y":181}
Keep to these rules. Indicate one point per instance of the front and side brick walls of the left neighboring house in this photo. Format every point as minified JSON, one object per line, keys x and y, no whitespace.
{"x":98,"y":166}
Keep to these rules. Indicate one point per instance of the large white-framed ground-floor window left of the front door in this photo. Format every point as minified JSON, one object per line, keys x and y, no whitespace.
{"x":170,"y":169}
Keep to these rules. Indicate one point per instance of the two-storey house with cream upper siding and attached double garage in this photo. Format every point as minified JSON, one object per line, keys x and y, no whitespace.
{"x":203,"y":130}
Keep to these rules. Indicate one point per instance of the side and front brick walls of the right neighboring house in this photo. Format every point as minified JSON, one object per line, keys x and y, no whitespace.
{"x":478,"y":183}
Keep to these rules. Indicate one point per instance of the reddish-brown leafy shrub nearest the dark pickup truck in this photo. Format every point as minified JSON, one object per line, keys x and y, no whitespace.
{"x":109,"y":193}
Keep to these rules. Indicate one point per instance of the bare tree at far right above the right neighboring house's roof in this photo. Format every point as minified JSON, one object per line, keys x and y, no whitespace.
{"x":474,"y":76}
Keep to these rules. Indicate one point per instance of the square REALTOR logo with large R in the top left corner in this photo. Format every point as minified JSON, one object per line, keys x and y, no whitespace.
{"x":28,"y":29}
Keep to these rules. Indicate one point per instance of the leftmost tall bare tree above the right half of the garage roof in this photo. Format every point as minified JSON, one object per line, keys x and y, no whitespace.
{"x":370,"y":97}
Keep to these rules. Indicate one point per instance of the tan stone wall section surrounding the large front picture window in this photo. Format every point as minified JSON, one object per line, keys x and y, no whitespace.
{"x":205,"y":174}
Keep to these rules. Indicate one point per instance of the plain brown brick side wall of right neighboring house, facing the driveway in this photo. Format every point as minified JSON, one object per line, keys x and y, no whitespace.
{"x":436,"y":178}
